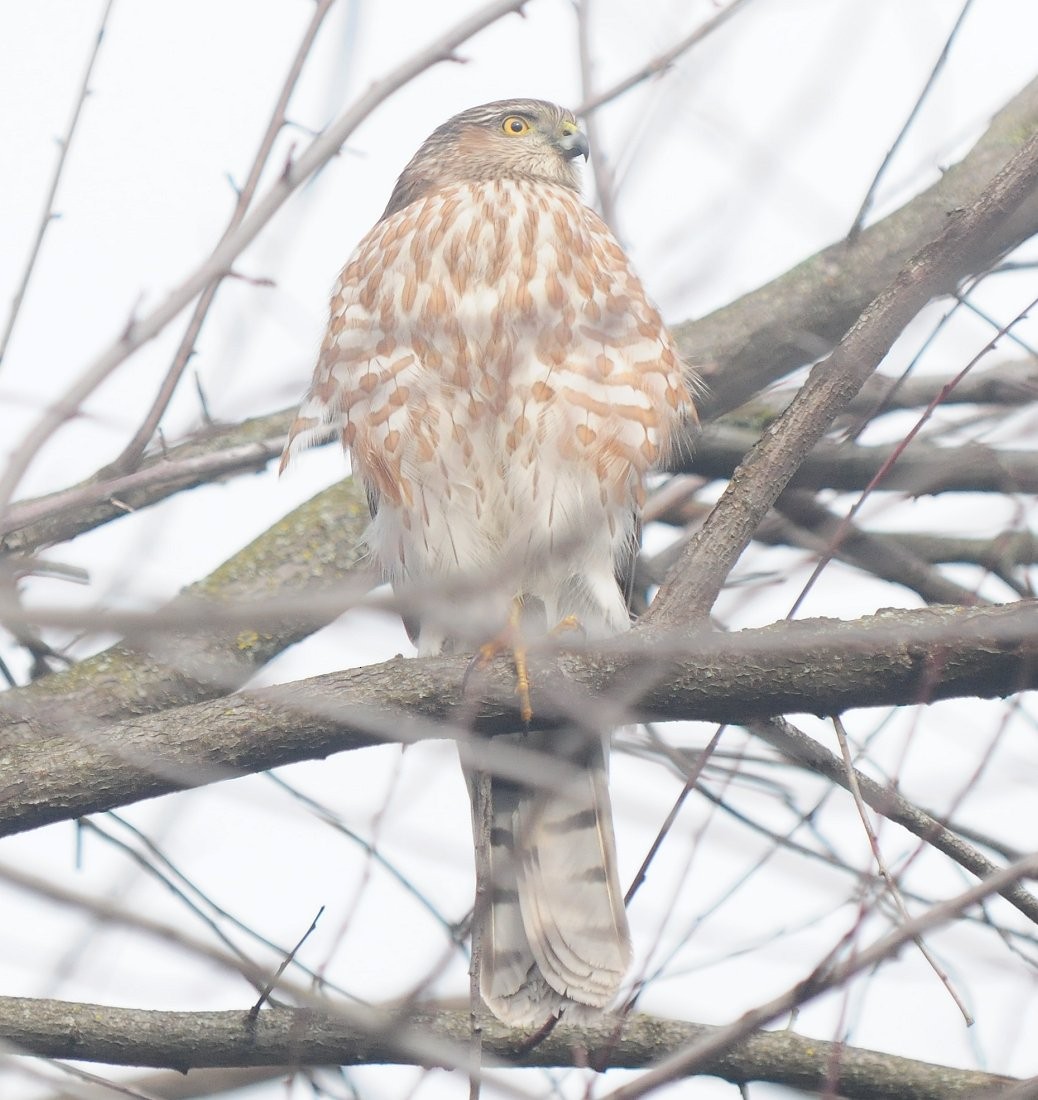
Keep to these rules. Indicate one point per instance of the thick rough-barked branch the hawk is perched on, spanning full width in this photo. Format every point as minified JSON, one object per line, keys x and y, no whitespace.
{"x":56,"y":773}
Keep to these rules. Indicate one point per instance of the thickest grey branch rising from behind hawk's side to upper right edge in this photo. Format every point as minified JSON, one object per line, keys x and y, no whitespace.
{"x":801,"y":315}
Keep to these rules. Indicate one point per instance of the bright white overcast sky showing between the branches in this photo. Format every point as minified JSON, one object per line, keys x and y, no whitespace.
{"x":749,"y":155}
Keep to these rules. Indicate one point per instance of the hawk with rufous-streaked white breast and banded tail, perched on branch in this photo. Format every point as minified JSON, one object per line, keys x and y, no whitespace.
{"x":504,"y":386}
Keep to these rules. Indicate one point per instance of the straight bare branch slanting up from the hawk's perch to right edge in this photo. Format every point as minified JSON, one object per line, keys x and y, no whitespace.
{"x":969,"y":241}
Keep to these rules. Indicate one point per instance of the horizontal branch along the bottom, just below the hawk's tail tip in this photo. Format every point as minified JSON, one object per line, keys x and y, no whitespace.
{"x":308,"y":1038}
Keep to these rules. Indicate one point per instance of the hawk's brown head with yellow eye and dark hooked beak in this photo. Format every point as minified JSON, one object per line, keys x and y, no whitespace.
{"x":511,"y":139}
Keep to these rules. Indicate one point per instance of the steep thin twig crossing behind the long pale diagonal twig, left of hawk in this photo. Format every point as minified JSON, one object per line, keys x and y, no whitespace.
{"x":135,"y":449}
